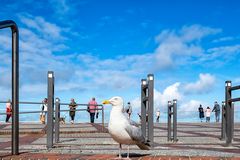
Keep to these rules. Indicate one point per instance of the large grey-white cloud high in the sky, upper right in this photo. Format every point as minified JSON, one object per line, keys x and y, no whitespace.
{"x":177,"y":47}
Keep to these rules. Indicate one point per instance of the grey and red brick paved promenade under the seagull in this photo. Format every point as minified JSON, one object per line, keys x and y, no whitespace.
{"x":86,"y":141}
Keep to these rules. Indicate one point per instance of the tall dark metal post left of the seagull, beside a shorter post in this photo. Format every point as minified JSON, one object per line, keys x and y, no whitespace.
{"x":50,"y":110}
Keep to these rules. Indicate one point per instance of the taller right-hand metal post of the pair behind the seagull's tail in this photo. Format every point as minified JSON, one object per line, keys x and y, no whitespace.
{"x":150,"y":108}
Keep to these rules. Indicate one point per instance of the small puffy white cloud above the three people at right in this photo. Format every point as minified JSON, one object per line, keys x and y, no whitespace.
{"x":204,"y":85}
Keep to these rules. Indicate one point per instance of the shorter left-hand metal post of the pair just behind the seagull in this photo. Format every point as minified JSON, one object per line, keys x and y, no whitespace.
{"x":143,"y":106}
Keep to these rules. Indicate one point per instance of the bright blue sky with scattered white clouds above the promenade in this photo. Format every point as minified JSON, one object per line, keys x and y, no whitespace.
{"x":104,"y":48}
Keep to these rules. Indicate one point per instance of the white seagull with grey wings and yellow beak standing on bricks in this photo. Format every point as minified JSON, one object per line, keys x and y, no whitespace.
{"x":122,"y":129}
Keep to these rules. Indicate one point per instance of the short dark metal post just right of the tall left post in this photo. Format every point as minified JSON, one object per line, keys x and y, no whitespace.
{"x":57,"y":117}
